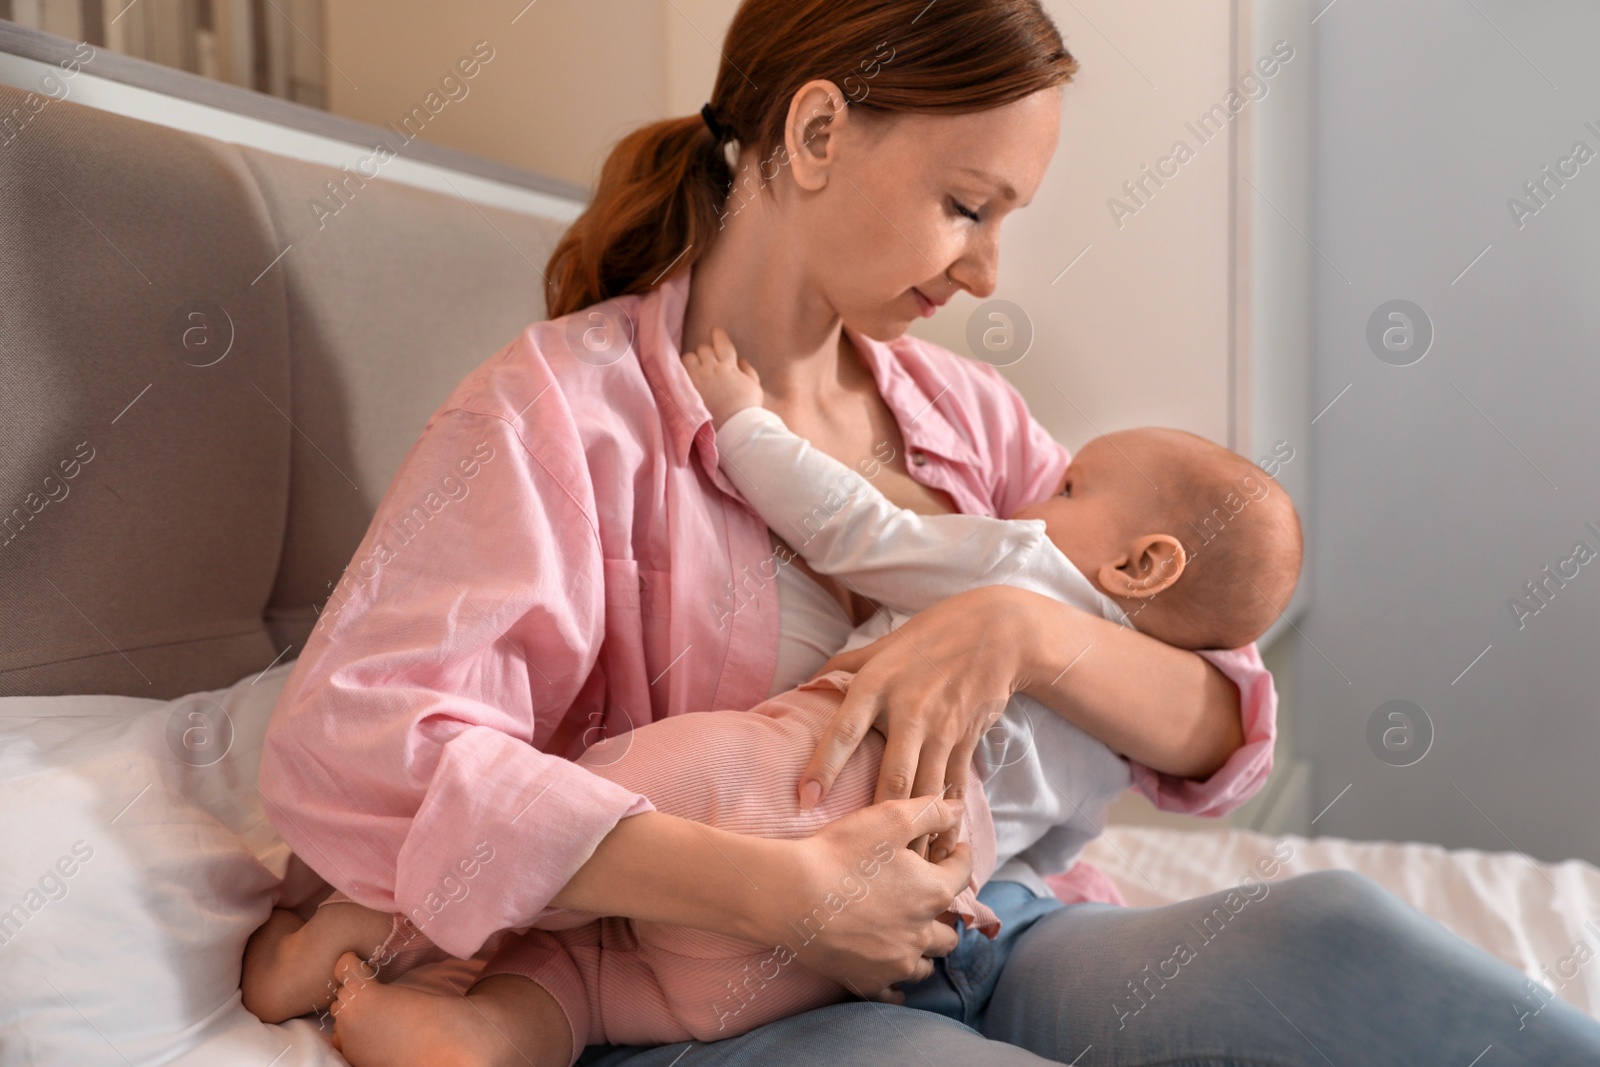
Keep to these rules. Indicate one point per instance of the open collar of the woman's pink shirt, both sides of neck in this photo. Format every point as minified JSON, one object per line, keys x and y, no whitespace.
{"x":916,"y":394}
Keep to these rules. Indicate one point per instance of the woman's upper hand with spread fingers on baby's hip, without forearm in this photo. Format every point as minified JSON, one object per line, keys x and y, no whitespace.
{"x":932,"y":689}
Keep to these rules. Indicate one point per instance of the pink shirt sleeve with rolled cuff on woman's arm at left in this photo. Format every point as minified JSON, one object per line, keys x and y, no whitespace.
{"x":402,"y":761}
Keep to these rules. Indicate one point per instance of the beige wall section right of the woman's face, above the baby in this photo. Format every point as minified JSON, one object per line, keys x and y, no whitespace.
{"x":1138,"y":332}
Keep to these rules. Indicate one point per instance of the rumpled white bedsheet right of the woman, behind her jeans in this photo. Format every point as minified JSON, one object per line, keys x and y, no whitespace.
{"x":1543,"y":919}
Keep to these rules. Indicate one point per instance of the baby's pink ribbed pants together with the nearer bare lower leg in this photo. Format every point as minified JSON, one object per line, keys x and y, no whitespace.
{"x":737,"y":770}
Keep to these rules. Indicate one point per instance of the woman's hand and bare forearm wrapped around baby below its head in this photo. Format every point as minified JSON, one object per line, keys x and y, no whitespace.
{"x":938,"y":682}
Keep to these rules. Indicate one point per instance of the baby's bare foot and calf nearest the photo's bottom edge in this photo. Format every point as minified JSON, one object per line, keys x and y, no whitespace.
{"x":505,"y":1020}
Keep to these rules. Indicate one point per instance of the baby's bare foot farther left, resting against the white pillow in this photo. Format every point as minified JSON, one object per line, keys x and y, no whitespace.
{"x":289,"y":964}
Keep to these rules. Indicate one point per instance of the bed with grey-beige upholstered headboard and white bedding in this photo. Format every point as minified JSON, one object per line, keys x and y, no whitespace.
{"x":207,"y":386}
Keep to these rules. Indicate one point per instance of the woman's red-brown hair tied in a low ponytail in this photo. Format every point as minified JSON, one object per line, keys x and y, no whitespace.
{"x":663,"y":188}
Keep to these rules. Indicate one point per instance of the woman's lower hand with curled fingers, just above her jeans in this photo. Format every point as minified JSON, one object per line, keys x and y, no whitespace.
{"x":855,"y":905}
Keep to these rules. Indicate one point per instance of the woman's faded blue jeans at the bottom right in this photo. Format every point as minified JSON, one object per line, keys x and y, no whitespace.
{"x":1322,"y":969}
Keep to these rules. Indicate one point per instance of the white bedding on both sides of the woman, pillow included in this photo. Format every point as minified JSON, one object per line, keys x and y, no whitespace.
{"x":177,"y":863}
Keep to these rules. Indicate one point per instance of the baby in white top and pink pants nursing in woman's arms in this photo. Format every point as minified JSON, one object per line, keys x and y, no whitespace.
{"x":1158,"y":530}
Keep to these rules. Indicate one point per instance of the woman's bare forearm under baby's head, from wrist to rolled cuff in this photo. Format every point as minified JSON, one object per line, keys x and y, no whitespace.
{"x":1162,"y":706}
